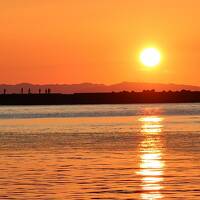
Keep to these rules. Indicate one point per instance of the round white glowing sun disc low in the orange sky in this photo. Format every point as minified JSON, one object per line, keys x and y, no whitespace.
{"x":150,"y":57}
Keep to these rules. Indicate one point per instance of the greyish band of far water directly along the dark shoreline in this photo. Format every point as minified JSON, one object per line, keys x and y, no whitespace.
{"x":25,"y":112}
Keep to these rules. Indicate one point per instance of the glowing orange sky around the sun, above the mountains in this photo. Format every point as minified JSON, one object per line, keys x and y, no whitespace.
{"x":73,"y":41}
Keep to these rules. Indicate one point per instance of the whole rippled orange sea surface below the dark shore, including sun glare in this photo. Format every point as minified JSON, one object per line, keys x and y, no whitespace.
{"x":145,"y":152}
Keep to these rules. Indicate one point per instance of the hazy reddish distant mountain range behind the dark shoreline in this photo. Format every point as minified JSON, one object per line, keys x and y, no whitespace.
{"x":92,"y":88}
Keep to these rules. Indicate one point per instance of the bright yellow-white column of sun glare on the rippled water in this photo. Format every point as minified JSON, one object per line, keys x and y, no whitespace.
{"x":151,"y":158}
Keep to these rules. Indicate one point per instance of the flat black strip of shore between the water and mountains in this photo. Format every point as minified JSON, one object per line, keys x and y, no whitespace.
{"x":149,"y":96}
